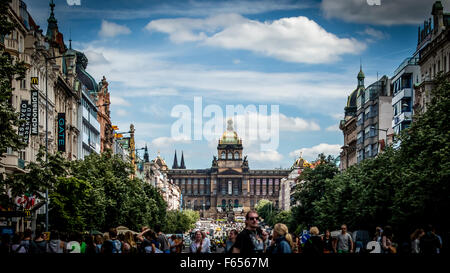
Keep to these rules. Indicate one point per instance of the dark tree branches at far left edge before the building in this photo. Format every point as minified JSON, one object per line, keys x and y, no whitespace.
{"x":9,"y":70}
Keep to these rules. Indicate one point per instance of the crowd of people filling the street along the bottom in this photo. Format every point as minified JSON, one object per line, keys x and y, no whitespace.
{"x":251,"y":239}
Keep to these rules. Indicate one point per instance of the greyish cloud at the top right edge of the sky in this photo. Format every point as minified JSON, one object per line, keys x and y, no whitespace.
{"x":398,"y":12}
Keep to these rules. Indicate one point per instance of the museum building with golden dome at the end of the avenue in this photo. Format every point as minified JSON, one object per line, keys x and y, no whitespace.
{"x":229,"y":185}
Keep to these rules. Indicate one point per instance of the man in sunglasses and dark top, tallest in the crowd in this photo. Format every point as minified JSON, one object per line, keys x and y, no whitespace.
{"x":248,"y":241}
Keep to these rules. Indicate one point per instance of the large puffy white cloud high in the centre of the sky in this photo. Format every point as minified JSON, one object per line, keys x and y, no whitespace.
{"x":294,"y":39}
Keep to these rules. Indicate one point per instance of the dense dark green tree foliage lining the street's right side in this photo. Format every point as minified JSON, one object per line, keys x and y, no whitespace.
{"x":406,"y":187}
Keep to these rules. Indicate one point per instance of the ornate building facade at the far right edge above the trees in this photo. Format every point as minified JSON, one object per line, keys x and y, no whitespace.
{"x":434,"y":54}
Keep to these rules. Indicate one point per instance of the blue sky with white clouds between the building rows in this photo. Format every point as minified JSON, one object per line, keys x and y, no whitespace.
{"x":302,"y":56}
